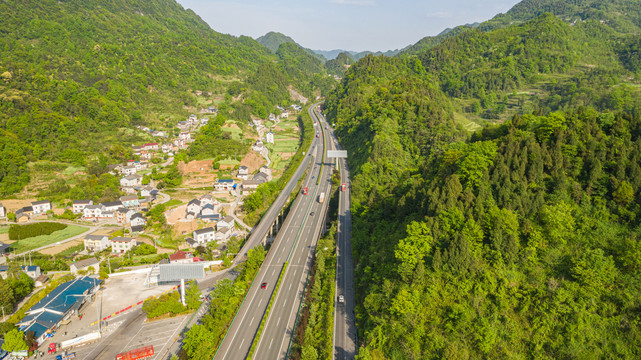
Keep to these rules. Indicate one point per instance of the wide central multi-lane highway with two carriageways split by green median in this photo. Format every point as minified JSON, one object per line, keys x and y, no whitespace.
{"x":294,"y":244}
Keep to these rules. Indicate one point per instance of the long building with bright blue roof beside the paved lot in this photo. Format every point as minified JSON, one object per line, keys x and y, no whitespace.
{"x":59,"y":304}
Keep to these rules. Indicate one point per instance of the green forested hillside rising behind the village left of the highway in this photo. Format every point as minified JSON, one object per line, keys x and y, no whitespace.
{"x":74,"y":72}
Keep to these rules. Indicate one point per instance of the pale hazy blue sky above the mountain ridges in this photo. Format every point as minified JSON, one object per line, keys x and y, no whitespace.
{"x":356,"y":25}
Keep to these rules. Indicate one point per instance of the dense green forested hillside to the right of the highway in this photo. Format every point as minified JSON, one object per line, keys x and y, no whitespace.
{"x":520,"y":240}
